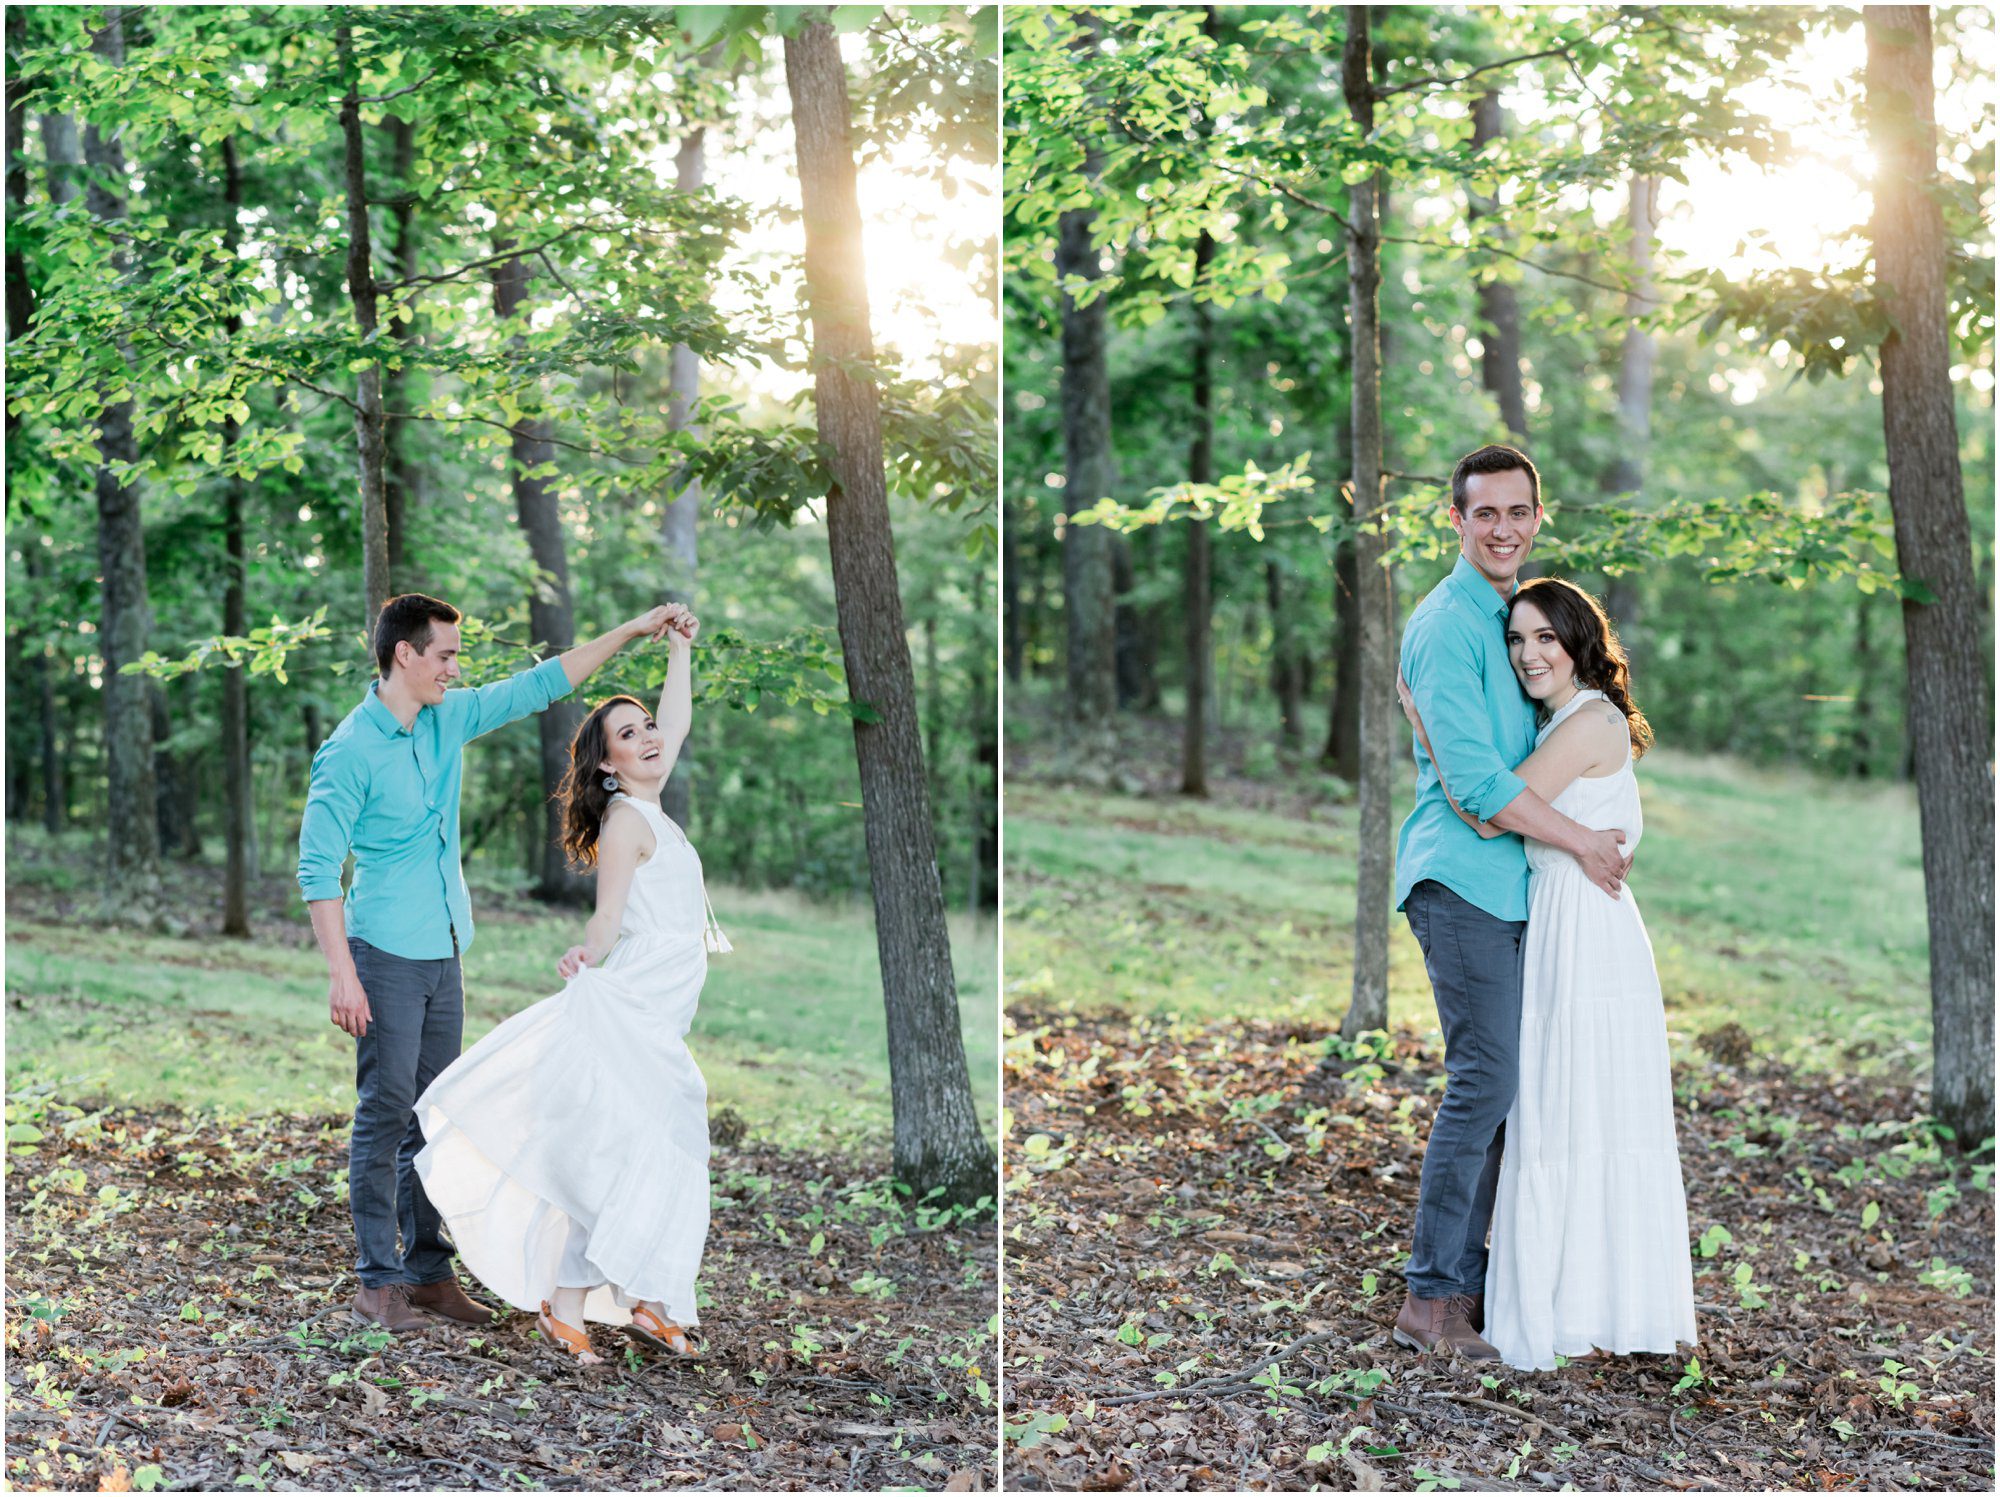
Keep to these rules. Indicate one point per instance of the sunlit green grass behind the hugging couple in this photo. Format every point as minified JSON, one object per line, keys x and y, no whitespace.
{"x":1781,"y":902}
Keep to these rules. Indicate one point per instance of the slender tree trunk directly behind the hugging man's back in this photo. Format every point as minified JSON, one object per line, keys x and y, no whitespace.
{"x":1375,"y":599}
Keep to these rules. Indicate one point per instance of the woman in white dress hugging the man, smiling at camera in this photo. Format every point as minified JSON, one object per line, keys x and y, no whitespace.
{"x":1591,"y":1220}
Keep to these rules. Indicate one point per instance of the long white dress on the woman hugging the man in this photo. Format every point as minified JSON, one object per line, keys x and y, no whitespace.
{"x":1591,"y":1220}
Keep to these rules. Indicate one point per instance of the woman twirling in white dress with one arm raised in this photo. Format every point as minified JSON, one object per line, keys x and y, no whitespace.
{"x":569,"y":1150}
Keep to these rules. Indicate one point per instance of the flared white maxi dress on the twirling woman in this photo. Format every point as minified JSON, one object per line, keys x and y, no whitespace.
{"x":571,"y":1146}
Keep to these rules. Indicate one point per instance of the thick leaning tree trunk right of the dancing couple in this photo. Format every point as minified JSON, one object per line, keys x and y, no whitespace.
{"x":937,"y":1140}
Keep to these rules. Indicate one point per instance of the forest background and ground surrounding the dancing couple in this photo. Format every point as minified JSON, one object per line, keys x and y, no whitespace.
{"x":555,"y":313}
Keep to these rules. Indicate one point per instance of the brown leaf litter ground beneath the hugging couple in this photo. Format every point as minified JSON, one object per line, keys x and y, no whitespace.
{"x":1203,"y":1240}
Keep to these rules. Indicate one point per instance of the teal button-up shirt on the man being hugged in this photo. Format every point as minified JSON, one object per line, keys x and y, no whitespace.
{"x":1481,"y":723}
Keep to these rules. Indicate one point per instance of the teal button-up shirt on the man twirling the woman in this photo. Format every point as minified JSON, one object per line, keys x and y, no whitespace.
{"x":389,"y":794}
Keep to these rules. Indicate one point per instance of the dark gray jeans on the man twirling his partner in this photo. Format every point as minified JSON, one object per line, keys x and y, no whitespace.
{"x":417,"y":1022}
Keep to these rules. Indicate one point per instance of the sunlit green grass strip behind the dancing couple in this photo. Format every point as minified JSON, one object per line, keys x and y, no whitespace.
{"x":791,"y":1032}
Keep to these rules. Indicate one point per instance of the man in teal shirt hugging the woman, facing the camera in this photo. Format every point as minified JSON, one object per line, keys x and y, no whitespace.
{"x":1467,"y":898}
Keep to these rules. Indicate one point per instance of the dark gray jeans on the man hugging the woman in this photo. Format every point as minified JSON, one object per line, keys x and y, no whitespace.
{"x":1475,"y":972}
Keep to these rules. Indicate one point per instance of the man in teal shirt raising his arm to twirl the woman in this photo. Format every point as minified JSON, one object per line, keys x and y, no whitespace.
{"x":385,"y":786}
